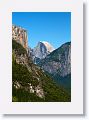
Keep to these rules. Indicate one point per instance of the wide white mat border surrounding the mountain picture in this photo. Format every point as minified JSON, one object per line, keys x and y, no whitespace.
{"x":76,"y":104}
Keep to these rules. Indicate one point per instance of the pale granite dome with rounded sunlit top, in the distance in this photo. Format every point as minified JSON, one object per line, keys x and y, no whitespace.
{"x":41,"y":51}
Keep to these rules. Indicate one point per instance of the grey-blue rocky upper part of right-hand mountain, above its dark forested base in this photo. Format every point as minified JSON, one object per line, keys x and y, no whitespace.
{"x":59,"y":61}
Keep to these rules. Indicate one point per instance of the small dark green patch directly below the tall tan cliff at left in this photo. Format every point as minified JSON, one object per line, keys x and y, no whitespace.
{"x":18,"y":47}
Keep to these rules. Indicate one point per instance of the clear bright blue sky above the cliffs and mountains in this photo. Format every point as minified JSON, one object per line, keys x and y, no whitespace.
{"x":53,"y":27}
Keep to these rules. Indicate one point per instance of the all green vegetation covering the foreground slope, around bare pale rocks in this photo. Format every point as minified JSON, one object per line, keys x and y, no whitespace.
{"x":21,"y":74}
